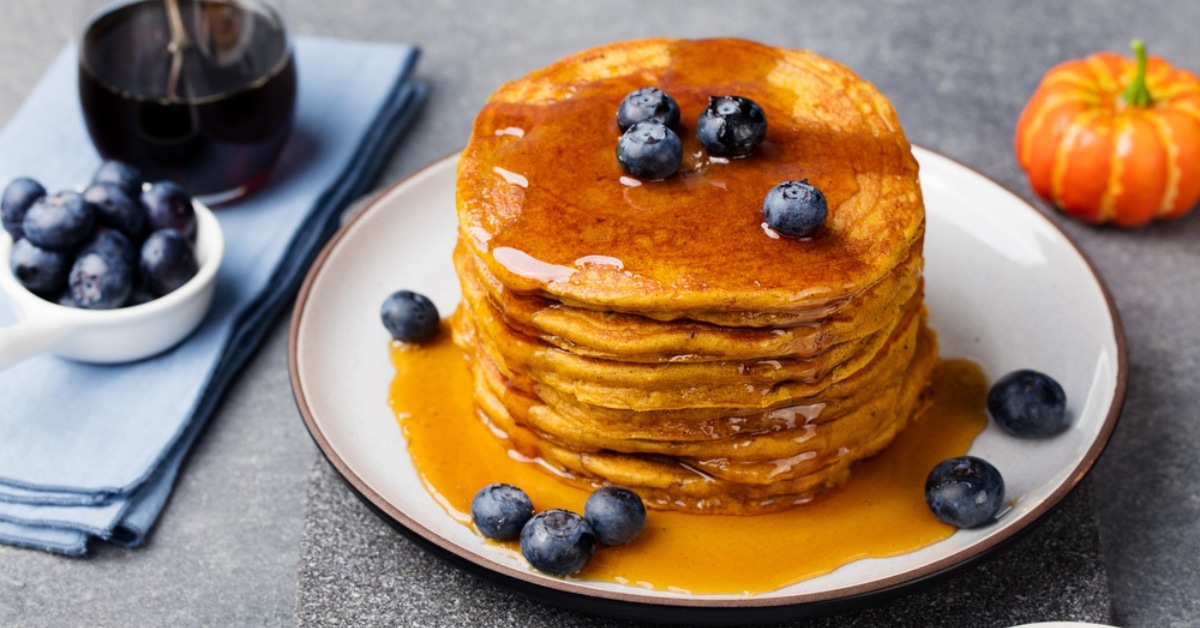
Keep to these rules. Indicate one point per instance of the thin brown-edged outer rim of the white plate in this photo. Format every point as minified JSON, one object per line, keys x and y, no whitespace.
{"x":712,"y":611}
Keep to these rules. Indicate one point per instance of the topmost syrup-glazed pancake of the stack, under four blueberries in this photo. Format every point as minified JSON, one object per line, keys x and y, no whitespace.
{"x":544,"y":205}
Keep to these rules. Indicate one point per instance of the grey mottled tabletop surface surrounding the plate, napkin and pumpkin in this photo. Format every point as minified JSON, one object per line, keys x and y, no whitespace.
{"x":229,"y":548}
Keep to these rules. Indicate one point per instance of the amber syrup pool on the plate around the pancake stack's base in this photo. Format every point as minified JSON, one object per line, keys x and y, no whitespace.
{"x":881,"y":512}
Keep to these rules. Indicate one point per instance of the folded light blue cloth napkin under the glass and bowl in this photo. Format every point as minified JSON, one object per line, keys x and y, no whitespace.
{"x":93,"y":452}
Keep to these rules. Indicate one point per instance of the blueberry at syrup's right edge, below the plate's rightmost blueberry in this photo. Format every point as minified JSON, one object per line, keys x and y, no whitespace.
{"x":965,"y":492}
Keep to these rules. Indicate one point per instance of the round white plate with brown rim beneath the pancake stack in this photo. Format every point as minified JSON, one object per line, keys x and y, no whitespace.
{"x":1005,"y":288}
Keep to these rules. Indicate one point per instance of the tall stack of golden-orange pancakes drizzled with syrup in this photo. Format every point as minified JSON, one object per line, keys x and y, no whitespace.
{"x":657,"y":336}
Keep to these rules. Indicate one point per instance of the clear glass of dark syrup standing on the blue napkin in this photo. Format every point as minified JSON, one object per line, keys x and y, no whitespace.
{"x":218,"y":122}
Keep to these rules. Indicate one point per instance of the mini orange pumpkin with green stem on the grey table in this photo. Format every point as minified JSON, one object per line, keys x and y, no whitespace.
{"x":1112,"y":140}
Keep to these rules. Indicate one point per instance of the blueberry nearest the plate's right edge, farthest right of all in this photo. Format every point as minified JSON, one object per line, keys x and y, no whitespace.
{"x":1029,"y":404}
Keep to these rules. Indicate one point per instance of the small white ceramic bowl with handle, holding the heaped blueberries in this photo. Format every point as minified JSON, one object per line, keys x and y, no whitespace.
{"x":109,"y":337}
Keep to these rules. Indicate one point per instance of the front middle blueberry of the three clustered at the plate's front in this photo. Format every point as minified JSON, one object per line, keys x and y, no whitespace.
{"x":559,"y":542}
